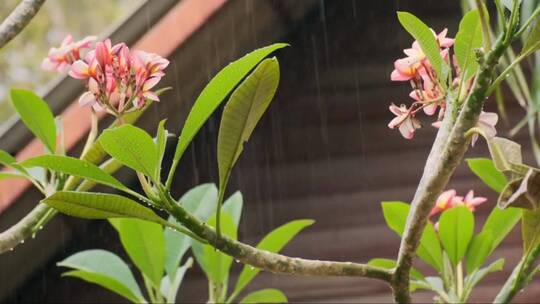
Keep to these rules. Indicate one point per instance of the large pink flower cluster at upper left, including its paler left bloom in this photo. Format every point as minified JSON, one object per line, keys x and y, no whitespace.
{"x":118,"y":79}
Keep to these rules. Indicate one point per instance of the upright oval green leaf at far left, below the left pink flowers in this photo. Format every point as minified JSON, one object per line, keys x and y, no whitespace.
{"x":36,"y":115}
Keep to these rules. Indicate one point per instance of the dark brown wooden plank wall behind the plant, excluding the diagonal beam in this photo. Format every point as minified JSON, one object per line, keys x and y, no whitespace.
{"x":323,"y":151}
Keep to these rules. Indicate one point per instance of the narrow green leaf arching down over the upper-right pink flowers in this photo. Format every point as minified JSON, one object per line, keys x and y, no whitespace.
{"x":426,"y":38}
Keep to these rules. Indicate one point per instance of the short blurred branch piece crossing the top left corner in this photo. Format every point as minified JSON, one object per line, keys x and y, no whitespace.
{"x":18,"y":19}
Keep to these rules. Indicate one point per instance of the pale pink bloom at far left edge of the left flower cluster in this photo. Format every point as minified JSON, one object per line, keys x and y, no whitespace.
{"x":68,"y":52}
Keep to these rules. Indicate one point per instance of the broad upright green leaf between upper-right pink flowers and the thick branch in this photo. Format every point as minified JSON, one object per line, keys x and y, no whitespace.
{"x":468,"y":39}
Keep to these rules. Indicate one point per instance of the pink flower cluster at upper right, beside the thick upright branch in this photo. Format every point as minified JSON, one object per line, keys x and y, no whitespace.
{"x":427,"y":92}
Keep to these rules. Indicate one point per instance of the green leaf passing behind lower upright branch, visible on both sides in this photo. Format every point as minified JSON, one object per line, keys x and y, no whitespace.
{"x":429,"y":250}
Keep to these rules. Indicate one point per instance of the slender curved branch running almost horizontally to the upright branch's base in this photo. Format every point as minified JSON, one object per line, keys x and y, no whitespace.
{"x":273,"y":262}
